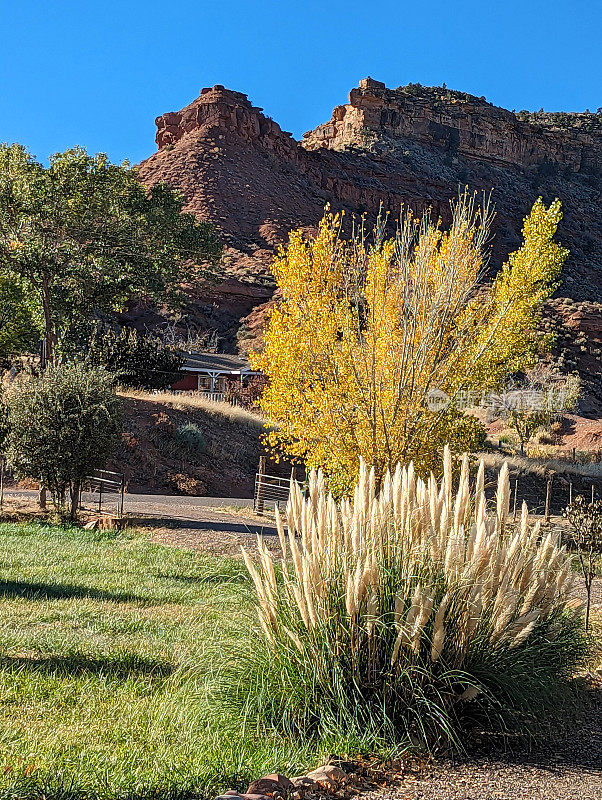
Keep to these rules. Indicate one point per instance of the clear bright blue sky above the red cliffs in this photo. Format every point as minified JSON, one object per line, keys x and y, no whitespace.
{"x":97,"y":74}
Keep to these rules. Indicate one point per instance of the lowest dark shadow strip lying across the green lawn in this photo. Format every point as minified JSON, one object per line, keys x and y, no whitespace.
{"x":119,"y":666}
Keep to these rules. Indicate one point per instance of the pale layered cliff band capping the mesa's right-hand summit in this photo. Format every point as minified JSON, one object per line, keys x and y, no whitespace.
{"x":459,"y":123}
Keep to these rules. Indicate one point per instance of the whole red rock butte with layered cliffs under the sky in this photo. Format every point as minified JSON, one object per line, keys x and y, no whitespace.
{"x":412,"y":145}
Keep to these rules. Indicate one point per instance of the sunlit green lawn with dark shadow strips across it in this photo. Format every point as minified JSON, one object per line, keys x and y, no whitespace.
{"x":109,"y":645}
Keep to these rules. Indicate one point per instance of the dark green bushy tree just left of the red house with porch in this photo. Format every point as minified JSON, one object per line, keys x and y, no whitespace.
{"x":143,"y":362}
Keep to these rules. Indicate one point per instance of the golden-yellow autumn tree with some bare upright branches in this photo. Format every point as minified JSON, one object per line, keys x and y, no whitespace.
{"x":369,"y":326}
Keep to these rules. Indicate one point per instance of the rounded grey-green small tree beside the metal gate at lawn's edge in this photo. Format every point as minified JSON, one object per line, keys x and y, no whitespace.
{"x":62,"y":425}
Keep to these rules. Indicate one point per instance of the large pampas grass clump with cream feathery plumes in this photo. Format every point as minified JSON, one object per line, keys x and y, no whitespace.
{"x":401,"y":616}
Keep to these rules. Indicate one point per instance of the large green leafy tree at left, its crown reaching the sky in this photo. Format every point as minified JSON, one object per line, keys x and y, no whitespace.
{"x":87,"y":236}
